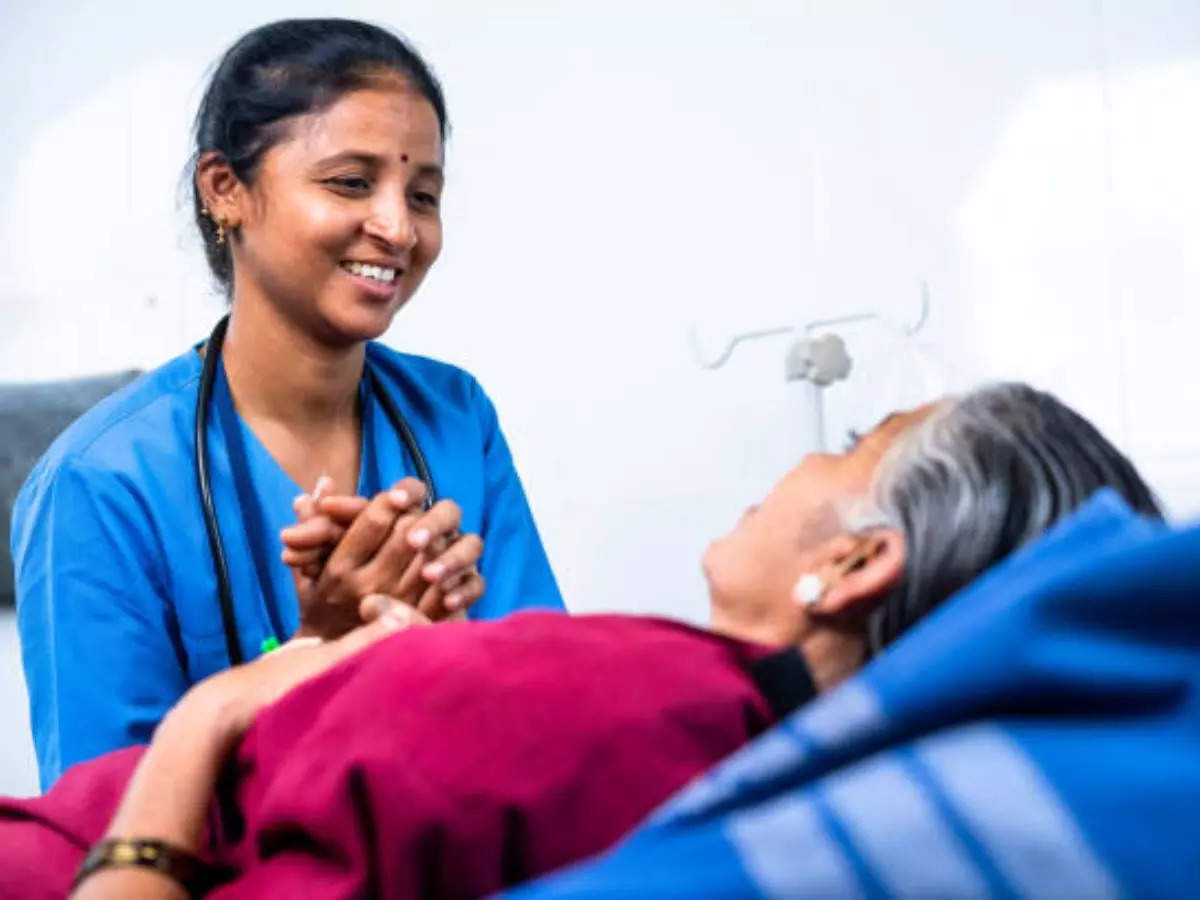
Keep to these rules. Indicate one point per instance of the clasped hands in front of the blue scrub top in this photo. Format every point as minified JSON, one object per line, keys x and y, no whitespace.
{"x":346,"y":549}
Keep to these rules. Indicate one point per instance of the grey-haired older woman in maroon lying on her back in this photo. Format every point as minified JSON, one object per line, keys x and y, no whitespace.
{"x":471,"y":757}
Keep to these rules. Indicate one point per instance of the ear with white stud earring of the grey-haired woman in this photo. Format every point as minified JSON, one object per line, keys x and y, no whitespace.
{"x":853,"y":573}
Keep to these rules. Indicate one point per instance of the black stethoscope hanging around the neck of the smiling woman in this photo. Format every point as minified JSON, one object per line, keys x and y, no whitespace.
{"x":203,"y":403}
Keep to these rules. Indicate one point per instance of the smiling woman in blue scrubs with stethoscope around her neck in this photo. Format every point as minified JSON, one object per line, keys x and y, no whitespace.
{"x":319,"y":178}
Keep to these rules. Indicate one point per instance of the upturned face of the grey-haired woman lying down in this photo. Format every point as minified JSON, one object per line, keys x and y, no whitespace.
{"x":763,"y":557}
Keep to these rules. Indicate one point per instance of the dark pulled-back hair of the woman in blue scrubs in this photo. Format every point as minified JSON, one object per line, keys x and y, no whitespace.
{"x":283,"y":70}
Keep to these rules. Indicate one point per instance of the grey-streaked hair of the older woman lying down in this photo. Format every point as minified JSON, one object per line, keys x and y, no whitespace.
{"x":982,"y":476}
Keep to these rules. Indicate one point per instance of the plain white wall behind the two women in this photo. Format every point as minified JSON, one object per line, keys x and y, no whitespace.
{"x":623,"y":171}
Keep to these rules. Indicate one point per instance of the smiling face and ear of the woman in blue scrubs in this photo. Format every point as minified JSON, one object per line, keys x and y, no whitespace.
{"x":353,"y":225}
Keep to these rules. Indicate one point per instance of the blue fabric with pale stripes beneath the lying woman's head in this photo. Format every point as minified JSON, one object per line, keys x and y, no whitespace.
{"x":1039,"y":736}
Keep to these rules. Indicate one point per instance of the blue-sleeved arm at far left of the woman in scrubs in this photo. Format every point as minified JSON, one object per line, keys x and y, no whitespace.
{"x":98,"y":629}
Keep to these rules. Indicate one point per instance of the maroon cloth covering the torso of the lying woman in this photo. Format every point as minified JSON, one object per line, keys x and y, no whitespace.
{"x":448,"y":761}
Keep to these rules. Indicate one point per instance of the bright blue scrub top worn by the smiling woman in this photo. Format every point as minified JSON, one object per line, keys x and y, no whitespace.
{"x":117,"y":601}
